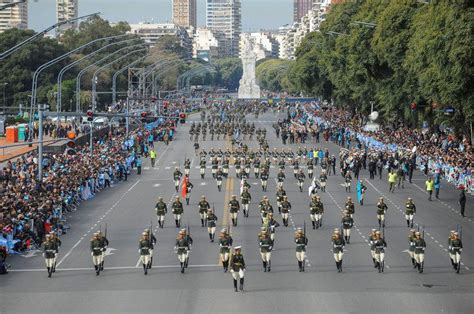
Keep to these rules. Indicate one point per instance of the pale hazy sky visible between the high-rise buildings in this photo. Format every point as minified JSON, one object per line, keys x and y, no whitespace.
{"x":256,"y":14}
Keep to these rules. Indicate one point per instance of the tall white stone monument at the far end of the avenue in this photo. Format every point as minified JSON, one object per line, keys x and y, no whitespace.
{"x":248,"y":87}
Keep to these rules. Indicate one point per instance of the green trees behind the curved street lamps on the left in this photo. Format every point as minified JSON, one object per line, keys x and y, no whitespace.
{"x":18,"y":68}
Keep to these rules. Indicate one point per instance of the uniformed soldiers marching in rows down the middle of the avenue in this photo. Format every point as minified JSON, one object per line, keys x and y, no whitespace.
{"x":256,"y":163}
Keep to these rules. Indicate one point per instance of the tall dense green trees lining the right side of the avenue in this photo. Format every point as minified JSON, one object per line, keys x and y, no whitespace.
{"x":403,"y":53}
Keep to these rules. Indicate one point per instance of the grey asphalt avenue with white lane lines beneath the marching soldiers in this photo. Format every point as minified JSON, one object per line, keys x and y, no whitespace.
{"x":127,"y":209}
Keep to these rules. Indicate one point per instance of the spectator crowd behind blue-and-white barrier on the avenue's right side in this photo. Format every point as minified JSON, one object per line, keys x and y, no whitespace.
{"x":437,"y":153}
